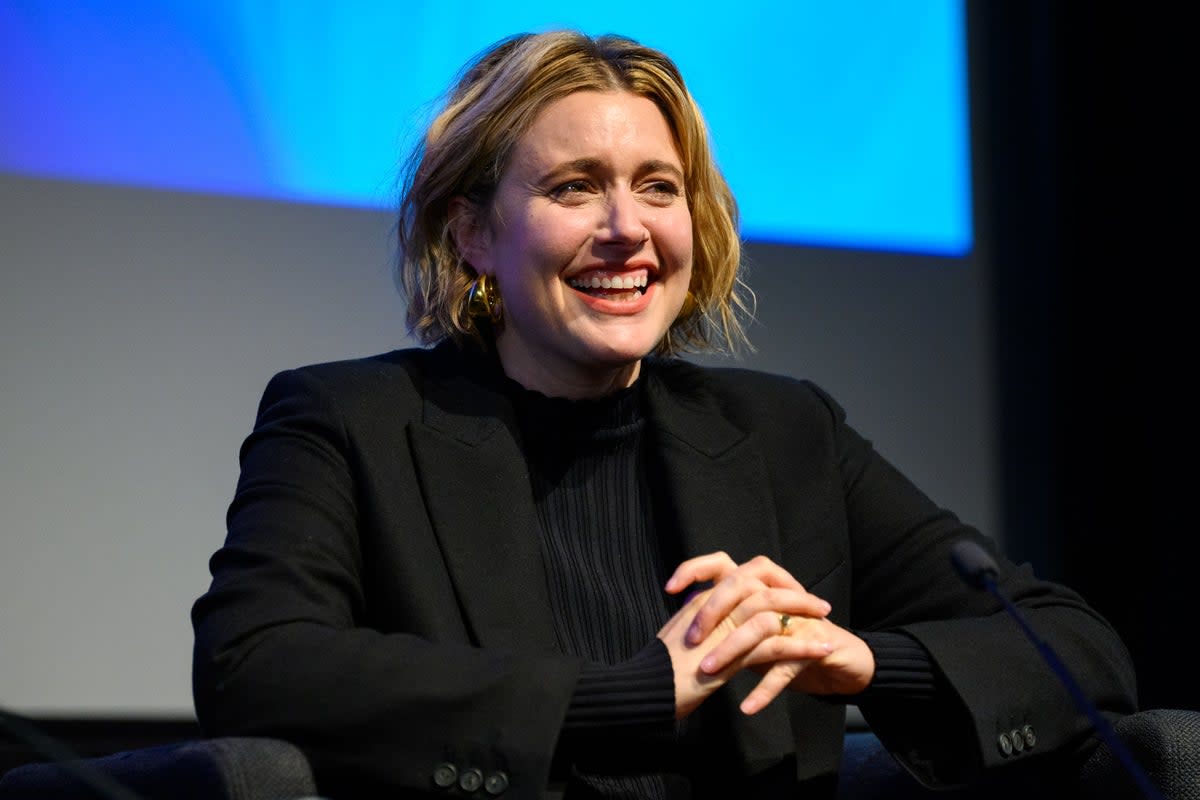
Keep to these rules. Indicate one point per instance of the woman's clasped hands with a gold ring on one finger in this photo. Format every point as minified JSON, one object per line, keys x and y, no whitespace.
{"x":739,"y":624}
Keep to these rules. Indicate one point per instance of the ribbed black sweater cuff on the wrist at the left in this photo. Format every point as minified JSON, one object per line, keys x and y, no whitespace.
{"x":637,"y":693}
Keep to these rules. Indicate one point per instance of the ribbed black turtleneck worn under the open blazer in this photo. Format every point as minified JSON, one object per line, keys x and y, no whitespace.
{"x":605,"y":572}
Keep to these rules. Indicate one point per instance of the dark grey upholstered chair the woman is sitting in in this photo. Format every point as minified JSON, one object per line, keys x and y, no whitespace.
{"x":1165,"y":742}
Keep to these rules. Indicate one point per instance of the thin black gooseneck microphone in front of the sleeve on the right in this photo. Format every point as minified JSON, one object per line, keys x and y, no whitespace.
{"x":979,"y":570}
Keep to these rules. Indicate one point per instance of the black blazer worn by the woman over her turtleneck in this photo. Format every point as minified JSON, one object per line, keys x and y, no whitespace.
{"x":381,"y":601}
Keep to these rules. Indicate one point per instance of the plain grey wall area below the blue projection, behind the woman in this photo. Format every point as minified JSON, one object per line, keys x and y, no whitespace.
{"x":137,"y":330}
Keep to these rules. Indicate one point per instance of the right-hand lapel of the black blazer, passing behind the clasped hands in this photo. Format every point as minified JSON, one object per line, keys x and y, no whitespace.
{"x":719,"y":494}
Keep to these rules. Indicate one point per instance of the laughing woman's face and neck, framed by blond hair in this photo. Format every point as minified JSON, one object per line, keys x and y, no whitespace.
{"x":590,"y":239}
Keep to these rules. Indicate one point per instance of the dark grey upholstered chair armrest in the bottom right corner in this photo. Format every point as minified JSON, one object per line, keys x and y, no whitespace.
{"x":1166,"y":743}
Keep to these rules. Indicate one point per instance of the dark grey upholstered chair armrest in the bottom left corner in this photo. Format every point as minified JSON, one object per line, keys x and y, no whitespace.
{"x":235,"y":768}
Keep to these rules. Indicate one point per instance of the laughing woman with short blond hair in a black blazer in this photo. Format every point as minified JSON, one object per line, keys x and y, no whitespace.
{"x":467,"y":568}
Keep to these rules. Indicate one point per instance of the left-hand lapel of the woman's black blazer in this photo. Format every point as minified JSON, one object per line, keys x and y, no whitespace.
{"x":477,"y":490}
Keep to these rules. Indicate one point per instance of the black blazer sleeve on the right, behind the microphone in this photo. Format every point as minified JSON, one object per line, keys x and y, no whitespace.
{"x":999,"y":688}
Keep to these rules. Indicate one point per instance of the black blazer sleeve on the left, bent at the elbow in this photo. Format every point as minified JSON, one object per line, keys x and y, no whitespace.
{"x":285,"y":646}
